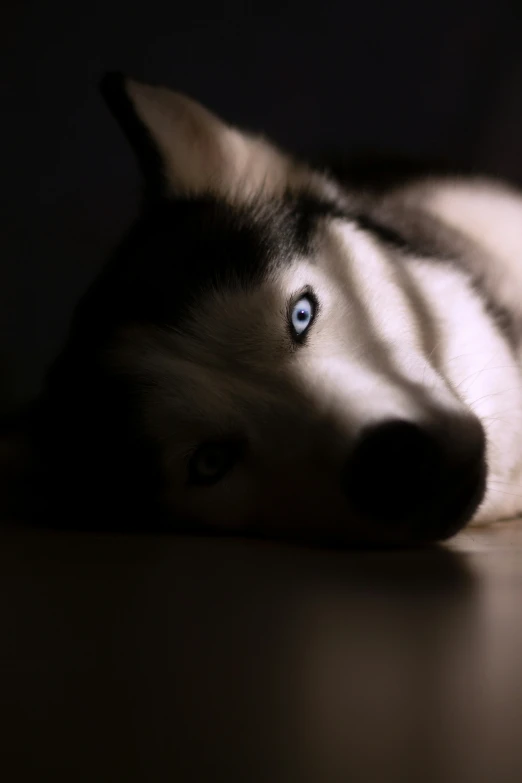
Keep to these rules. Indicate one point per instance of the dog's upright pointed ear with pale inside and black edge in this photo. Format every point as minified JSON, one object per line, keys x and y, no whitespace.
{"x":184,"y":149}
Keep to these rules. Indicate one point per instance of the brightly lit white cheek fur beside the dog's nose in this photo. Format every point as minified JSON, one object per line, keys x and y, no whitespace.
{"x":480,"y":366}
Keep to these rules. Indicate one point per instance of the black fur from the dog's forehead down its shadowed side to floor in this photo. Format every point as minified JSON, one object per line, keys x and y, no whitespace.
{"x":95,"y":469}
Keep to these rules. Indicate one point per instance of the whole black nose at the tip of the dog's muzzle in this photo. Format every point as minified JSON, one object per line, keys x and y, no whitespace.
{"x":431,"y":478}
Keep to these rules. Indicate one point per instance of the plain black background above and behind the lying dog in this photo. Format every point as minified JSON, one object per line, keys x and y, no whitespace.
{"x":429,"y":78}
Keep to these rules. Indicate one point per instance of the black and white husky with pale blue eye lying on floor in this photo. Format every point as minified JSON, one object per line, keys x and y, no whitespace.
{"x":274,"y":351}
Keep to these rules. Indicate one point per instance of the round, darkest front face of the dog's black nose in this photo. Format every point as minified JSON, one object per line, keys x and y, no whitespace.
{"x":392,"y":469}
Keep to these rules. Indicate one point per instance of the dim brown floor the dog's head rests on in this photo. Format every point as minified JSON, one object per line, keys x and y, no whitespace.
{"x":172,"y":659}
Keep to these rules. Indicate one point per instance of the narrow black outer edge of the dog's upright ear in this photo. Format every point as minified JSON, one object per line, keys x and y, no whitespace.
{"x":113,"y":90}
